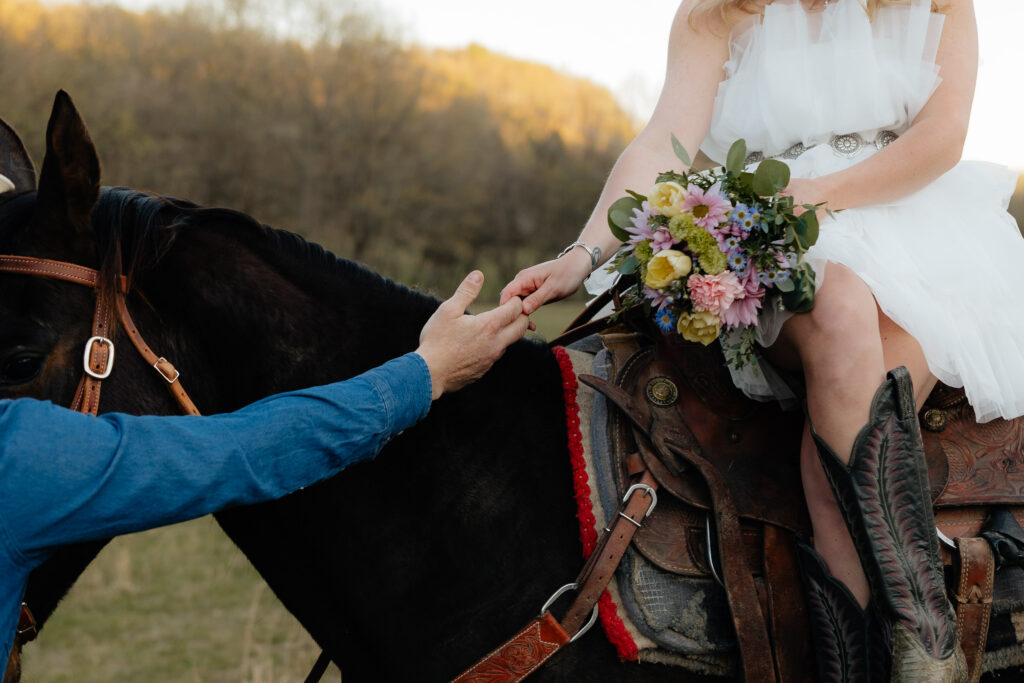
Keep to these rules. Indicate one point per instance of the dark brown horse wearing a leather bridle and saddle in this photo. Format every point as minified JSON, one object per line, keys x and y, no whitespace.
{"x":410,"y":568}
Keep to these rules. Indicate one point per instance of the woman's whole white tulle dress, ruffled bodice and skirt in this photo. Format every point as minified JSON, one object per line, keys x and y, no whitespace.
{"x":823,"y":91}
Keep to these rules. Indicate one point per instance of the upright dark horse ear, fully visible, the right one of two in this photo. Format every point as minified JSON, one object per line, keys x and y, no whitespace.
{"x":69,"y":184}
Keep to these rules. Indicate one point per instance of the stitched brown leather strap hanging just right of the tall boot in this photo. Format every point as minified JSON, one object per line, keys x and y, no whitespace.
{"x":974,"y":601}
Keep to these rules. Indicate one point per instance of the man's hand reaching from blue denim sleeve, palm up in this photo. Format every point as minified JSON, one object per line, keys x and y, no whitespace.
{"x":459,"y":349}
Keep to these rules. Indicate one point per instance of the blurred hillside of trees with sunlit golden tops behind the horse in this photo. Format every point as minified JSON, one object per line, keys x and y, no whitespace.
{"x":315,"y":118}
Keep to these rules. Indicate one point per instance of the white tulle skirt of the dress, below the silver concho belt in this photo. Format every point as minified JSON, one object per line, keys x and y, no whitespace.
{"x":946,"y":264}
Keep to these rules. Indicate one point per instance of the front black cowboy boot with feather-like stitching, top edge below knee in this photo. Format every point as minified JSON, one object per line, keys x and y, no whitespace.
{"x":884,"y":496}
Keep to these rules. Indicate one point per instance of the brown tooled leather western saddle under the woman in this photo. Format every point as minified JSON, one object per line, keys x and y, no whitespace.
{"x":732,"y":498}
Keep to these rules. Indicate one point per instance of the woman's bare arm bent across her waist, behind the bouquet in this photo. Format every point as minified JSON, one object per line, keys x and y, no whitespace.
{"x":931,"y":147}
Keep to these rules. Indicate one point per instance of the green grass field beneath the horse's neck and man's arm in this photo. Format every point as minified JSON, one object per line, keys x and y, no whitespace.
{"x":183,"y":604}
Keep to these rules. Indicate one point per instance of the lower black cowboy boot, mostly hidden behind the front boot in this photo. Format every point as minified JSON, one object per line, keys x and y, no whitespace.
{"x":851,"y":646}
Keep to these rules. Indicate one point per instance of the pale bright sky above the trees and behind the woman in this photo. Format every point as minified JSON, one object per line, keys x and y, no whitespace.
{"x":622,"y":45}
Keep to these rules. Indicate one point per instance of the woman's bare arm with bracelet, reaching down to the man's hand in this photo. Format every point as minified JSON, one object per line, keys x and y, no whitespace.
{"x":685,"y":109}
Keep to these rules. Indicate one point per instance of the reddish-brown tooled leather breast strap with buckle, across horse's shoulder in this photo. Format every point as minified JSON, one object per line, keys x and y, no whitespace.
{"x":544,"y":636}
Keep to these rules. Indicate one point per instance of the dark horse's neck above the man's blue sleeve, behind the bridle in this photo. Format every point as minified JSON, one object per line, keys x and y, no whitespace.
{"x":269,"y":319}
